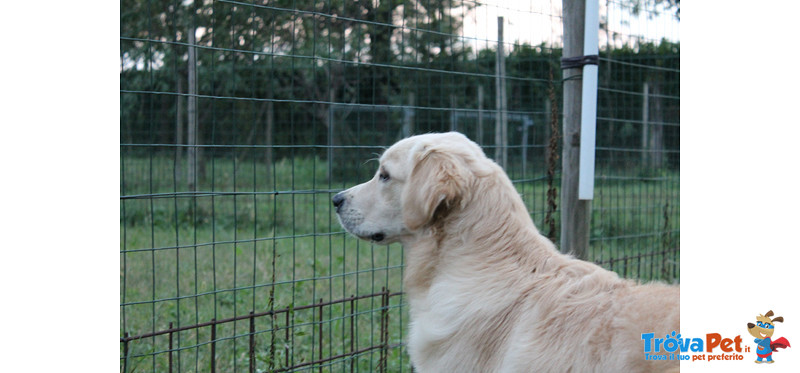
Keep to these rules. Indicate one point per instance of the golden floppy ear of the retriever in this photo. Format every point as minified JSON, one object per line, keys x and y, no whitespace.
{"x":437,"y":184}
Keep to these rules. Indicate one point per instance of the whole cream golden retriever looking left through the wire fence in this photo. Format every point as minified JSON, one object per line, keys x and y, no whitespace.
{"x":487,"y":292}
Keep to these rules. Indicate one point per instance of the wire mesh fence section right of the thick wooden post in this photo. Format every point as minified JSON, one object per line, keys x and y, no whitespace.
{"x":636,"y":211}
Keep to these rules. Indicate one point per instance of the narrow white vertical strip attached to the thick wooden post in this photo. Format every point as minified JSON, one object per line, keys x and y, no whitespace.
{"x":589,"y":103}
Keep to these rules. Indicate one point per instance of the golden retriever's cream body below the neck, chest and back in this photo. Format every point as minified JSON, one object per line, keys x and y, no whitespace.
{"x":568,"y":315}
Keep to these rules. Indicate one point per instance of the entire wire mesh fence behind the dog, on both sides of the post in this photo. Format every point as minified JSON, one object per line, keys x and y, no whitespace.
{"x":241,"y":119}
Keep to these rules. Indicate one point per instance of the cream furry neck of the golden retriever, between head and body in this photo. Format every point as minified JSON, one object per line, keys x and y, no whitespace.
{"x":480,"y":230}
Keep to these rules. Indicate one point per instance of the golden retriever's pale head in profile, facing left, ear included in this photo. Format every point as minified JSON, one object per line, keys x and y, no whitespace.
{"x":420,"y":180}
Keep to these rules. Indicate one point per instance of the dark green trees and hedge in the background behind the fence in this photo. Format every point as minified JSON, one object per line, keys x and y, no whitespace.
{"x":307,"y":66}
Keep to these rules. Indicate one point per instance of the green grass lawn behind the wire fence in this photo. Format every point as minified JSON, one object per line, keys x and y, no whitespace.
{"x":257,"y":238}
